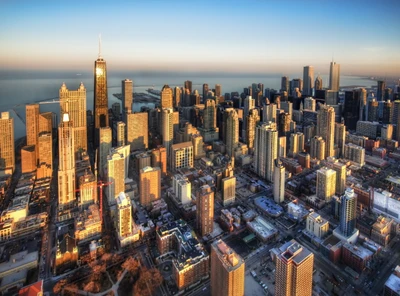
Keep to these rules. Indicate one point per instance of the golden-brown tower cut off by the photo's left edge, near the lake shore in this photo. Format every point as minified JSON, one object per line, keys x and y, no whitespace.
{"x":7,"y":151}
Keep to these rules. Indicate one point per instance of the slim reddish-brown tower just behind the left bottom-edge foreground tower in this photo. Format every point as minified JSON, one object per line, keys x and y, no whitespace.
{"x":205,"y":210}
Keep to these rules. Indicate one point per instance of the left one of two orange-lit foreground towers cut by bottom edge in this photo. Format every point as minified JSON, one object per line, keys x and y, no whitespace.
{"x":227,"y":271}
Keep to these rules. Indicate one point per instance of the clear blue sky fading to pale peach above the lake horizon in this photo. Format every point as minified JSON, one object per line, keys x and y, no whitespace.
{"x":252,"y":36}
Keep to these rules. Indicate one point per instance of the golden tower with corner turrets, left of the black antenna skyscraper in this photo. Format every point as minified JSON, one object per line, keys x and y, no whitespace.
{"x":73,"y":102}
